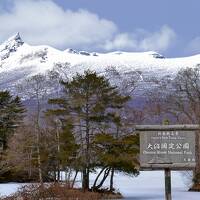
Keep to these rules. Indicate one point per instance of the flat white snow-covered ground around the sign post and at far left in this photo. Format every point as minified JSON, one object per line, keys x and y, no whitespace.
{"x":149,"y":185}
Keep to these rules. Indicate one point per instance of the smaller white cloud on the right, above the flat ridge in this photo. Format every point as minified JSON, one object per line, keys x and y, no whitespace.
{"x":143,"y":40}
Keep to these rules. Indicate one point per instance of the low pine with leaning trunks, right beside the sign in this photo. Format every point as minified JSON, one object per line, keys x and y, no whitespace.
{"x":119,"y":154}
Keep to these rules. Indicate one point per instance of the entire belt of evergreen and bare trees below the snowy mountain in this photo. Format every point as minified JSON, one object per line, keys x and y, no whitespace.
{"x":85,"y":124}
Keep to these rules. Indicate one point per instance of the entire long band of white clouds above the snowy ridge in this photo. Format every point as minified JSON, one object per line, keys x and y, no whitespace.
{"x":45,"y":22}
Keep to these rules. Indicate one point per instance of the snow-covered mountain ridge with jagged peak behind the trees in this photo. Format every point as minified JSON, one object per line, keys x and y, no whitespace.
{"x":19,"y":60}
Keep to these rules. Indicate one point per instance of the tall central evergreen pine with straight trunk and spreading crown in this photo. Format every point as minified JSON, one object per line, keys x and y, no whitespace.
{"x":88,"y":100}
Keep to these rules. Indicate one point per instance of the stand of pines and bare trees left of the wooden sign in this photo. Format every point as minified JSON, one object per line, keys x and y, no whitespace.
{"x":79,"y":132}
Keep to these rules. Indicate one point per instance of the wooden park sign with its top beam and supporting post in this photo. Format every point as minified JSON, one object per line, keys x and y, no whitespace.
{"x":167,"y":147}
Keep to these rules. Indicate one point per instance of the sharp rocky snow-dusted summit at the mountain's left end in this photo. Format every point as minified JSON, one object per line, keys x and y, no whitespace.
{"x":10,"y":46}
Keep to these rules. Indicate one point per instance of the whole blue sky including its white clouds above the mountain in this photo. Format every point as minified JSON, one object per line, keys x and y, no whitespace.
{"x":170,"y":27}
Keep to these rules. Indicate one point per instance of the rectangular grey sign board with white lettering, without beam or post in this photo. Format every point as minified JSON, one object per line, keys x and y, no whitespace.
{"x":174,"y":149}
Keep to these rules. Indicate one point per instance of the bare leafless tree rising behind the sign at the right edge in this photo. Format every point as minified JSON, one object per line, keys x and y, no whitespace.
{"x":178,"y":99}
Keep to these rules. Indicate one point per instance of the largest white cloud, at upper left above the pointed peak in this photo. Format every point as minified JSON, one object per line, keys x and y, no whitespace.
{"x":44,"y":22}
